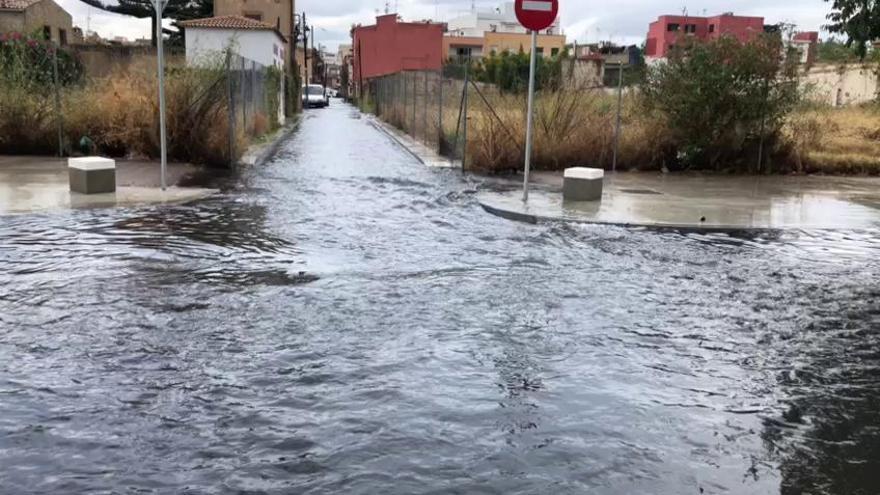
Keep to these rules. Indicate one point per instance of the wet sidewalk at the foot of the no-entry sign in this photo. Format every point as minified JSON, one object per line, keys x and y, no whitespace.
{"x":698,"y":201}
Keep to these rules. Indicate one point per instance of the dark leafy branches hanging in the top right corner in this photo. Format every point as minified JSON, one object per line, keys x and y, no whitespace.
{"x":859,"y":20}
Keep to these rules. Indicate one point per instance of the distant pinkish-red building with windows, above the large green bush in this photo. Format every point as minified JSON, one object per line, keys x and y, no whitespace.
{"x":666,"y":30}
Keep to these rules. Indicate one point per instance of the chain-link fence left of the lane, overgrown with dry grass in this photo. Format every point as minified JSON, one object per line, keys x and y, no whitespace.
{"x":97,"y":99}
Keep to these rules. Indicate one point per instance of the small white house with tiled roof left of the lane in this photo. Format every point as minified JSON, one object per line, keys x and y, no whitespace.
{"x":208,"y":40}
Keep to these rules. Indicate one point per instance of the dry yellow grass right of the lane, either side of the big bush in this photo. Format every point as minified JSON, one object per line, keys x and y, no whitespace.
{"x":576,"y":128}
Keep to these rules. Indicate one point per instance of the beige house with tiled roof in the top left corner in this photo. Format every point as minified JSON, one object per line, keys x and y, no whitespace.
{"x":44,"y":17}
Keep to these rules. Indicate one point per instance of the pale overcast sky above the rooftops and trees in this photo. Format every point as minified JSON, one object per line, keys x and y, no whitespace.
{"x":621,"y":21}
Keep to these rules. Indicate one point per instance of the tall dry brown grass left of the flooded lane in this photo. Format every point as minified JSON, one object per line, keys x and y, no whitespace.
{"x":119,"y":114}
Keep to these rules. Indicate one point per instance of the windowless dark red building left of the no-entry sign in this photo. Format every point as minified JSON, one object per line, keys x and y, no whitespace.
{"x":391,"y":46}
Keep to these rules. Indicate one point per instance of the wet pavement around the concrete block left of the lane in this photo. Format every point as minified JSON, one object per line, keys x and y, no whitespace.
{"x":32,"y":184}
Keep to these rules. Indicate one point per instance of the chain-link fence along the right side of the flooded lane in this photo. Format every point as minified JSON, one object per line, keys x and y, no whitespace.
{"x":467,"y":114}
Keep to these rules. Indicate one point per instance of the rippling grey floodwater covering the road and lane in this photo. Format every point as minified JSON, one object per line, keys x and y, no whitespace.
{"x":345,"y":320}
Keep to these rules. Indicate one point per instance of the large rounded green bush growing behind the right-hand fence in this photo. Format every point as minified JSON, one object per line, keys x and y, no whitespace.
{"x":721,"y":98}
